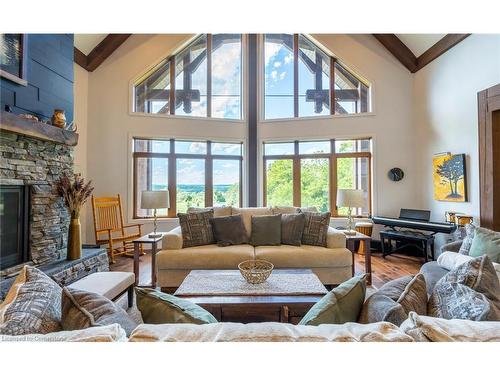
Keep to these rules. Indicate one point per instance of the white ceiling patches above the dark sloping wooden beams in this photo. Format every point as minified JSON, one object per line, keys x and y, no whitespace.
{"x":417,"y":43}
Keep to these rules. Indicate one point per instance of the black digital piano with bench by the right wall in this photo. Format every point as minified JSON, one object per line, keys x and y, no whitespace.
{"x":418,"y":222}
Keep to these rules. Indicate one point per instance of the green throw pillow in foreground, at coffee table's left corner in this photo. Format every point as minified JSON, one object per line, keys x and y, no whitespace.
{"x":159,"y":308}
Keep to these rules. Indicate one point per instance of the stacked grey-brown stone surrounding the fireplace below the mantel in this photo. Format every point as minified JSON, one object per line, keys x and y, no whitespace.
{"x":28,"y":161}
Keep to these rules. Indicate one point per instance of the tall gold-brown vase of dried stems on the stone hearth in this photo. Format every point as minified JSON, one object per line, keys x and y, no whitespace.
{"x":75,"y":193}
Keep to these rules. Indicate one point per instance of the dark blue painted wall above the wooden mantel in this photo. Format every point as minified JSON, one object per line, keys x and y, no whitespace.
{"x":49,"y":76}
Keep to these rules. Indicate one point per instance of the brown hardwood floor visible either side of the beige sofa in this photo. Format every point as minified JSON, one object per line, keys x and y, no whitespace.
{"x":384,"y":270}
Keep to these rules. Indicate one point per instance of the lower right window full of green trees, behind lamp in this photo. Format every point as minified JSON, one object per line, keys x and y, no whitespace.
{"x":308,"y":173}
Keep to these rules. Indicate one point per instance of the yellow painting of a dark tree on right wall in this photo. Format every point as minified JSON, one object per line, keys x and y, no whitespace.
{"x":449,"y":177}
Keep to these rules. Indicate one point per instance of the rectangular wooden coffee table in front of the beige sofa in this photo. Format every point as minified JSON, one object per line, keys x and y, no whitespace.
{"x":224,"y":294}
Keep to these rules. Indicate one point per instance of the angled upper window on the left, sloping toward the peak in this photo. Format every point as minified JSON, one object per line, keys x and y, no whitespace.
{"x":204,"y":80}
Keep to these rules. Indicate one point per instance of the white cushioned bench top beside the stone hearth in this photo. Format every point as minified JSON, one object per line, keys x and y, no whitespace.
{"x":107,"y":284}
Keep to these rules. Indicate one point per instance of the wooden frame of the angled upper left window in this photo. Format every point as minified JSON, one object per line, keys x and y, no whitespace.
{"x":171,"y":60}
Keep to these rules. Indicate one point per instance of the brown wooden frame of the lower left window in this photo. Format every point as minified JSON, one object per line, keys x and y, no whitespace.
{"x":172,"y":157}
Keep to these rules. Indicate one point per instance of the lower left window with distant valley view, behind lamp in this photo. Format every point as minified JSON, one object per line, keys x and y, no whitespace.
{"x":196,"y":173}
